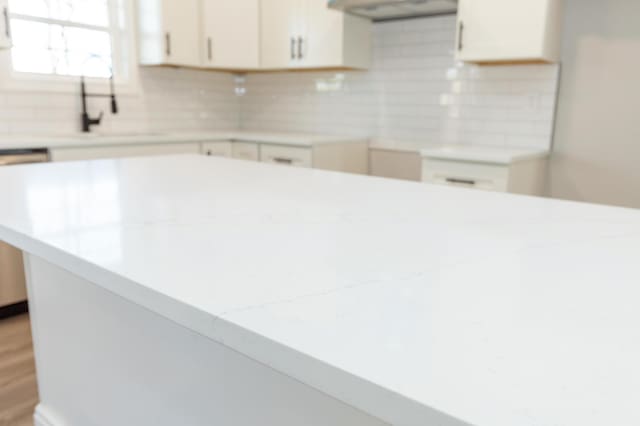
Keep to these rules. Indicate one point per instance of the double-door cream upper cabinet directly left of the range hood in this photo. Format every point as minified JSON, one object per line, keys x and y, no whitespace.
{"x":307,"y":34}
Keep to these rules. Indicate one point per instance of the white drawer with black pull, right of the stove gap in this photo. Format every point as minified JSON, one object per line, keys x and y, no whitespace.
{"x":490,"y":177}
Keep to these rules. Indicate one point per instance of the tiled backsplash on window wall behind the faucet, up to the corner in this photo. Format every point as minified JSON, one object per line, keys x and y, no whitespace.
{"x":168,"y":99}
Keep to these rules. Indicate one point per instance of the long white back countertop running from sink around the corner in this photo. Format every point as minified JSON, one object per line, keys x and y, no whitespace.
{"x":97,"y":139}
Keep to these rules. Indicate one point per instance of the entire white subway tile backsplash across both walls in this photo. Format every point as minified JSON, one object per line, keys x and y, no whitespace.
{"x":415,"y":91}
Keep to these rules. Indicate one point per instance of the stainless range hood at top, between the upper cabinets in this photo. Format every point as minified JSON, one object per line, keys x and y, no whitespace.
{"x":379,"y":10}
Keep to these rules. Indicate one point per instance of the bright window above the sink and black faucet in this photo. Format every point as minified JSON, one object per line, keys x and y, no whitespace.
{"x":69,"y":37}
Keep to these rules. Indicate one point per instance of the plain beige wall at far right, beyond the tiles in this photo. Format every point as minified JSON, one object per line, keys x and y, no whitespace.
{"x":597,"y":144}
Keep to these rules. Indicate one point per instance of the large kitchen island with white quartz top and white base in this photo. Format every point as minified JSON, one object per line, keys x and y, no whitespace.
{"x":198,"y":291}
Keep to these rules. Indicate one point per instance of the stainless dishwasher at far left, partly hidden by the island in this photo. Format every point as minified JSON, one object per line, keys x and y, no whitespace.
{"x":13,"y":291}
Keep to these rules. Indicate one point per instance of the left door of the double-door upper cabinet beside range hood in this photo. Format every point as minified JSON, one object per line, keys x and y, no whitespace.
{"x":282,"y":25}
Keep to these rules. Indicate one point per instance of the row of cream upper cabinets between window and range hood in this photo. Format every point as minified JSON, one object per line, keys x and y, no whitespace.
{"x":247,"y":35}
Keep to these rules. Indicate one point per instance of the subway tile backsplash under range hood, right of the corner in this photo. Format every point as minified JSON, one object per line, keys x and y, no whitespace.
{"x":415,"y":91}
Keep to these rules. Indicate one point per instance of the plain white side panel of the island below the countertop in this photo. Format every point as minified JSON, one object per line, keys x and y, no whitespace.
{"x":102,"y":360}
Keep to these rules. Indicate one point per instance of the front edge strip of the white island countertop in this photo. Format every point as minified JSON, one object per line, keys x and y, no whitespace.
{"x":357,"y":392}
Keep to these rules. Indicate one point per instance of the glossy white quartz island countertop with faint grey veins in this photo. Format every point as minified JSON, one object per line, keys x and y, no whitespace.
{"x":403,"y":299}
